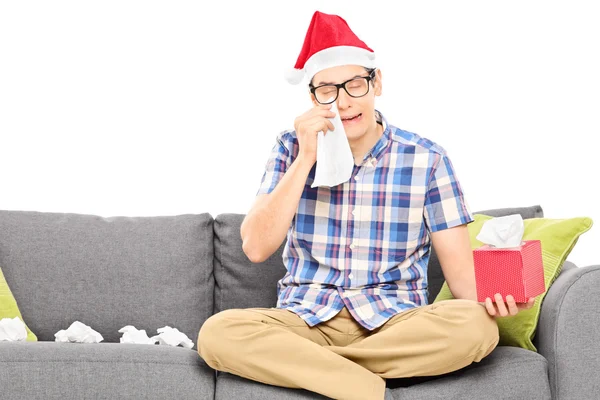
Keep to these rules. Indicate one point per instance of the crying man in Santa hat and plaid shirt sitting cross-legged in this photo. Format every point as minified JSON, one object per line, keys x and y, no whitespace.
{"x":352,"y":308}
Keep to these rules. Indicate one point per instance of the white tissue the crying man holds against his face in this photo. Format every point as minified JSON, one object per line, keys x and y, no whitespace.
{"x":334,"y":156}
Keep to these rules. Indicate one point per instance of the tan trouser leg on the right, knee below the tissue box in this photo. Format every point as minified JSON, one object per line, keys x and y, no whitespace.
{"x":426,"y":341}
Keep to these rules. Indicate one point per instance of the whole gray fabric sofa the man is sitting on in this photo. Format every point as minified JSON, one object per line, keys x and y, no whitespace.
{"x":178,"y":270}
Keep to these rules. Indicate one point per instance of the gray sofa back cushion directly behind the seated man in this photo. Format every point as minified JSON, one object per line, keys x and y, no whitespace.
{"x":242,"y":284}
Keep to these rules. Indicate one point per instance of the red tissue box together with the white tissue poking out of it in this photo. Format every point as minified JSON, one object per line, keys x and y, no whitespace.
{"x":505,"y":264}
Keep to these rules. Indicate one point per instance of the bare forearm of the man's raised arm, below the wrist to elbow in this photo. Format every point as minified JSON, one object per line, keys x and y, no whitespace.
{"x":265,"y":226}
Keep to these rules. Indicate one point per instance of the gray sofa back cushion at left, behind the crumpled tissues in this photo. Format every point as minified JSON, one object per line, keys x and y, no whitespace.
{"x":110,"y":272}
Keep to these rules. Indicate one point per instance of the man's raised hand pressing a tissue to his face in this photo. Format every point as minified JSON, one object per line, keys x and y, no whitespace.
{"x":307,"y":127}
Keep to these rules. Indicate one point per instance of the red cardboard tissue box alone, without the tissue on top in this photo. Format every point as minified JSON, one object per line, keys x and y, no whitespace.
{"x":517,"y":271}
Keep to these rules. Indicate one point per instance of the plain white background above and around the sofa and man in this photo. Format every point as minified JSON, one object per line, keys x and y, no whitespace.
{"x":144,"y":108}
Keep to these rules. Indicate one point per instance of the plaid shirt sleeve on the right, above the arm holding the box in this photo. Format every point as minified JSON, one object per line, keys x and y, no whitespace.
{"x":445,"y":205}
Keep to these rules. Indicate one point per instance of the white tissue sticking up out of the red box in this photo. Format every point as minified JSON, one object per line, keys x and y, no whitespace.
{"x":502,"y":232}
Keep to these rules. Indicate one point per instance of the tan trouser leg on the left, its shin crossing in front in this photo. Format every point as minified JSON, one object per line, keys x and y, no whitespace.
{"x":277,"y":347}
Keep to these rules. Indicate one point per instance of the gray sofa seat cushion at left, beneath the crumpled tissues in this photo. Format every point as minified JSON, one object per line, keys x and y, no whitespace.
{"x":51,"y":370}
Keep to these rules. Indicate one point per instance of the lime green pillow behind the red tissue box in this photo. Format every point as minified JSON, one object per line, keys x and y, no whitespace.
{"x":558,"y":237}
